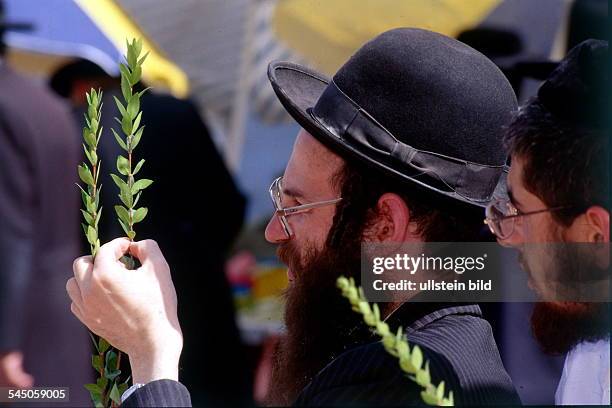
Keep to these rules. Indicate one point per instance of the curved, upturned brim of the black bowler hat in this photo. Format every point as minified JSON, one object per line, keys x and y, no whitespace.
{"x":298,"y":88}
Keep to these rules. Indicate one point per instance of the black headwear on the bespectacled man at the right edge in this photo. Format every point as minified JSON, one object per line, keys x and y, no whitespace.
{"x":578,"y":90}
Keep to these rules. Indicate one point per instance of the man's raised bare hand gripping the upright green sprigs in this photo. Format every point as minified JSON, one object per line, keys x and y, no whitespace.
{"x":135,"y":310}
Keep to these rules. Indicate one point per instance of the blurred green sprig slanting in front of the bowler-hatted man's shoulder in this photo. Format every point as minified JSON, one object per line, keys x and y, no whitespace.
{"x":410,"y":361}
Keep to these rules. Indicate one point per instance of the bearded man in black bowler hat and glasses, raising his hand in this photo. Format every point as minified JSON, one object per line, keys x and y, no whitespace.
{"x":407,"y":99}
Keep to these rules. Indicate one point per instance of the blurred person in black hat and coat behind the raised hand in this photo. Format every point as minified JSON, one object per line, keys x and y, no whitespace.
{"x":194,"y":207}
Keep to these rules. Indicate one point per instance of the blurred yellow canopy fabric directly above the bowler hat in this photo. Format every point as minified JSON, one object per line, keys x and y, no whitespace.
{"x":327,"y":33}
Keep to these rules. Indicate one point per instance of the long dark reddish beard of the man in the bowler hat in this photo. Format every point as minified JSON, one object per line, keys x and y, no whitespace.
{"x":320,"y":322}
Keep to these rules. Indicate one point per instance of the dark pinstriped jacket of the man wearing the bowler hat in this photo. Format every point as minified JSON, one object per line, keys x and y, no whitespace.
{"x":455,"y":339}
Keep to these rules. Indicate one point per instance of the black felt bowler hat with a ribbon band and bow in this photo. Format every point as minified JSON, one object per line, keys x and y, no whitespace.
{"x":415,"y":104}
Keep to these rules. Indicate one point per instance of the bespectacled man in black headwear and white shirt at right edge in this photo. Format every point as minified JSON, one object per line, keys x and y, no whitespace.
{"x":559,"y":193}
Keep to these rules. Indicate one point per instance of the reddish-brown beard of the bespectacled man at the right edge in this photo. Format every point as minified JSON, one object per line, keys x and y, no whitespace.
{"x":560,"y":271}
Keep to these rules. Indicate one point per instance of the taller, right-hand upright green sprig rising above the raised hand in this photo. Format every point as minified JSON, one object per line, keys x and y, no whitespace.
{"x":130,"y":189}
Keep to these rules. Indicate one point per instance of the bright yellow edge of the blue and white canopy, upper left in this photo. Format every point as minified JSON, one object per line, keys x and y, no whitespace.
{"x":157,"y":70}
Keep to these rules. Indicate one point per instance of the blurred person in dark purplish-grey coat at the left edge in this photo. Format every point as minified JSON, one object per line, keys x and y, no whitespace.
{"x":40,"y":344}
